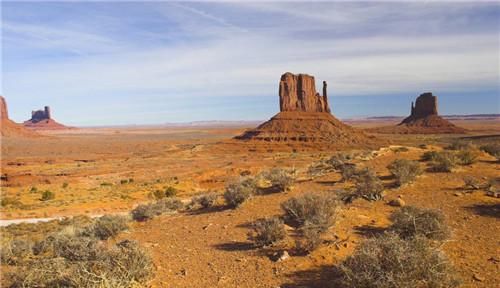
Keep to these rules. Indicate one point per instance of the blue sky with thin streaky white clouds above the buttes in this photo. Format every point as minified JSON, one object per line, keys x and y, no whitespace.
{"x":119,"y":63}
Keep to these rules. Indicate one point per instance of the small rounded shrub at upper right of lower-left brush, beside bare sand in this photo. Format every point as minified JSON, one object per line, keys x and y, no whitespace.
{"x":107,"y":226}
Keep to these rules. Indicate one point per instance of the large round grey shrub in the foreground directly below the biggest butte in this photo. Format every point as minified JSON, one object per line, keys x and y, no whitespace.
{"x":311,"y":210}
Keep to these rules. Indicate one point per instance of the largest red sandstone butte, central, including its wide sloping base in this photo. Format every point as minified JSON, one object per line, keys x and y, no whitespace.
{"x":305,"y":119}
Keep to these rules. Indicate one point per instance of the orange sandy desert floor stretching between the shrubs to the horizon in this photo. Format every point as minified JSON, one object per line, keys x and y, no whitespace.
{"x":112,"y":170}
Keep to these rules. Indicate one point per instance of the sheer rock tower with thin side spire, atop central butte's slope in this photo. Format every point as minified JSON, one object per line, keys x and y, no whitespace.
{"x":298,"y":93}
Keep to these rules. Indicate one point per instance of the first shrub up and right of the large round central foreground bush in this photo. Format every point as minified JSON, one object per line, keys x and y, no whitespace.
{"x":368,"y":185}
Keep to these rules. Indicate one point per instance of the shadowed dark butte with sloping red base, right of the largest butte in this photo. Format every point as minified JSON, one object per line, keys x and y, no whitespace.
{"x":423,"y":119}
